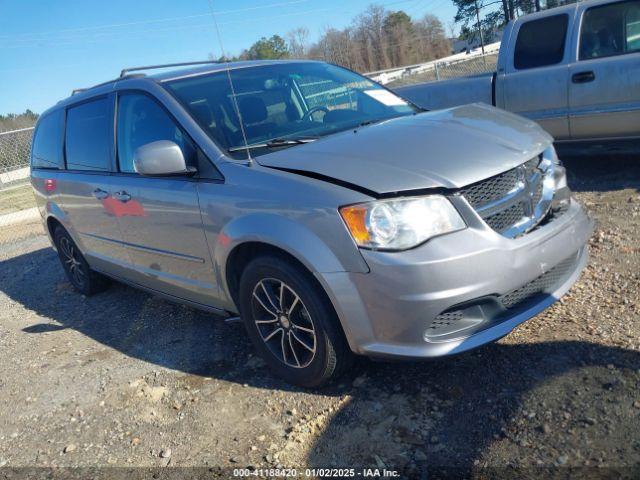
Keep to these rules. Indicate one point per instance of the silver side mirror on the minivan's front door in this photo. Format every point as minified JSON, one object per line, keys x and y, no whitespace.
{"x":161,"y":158}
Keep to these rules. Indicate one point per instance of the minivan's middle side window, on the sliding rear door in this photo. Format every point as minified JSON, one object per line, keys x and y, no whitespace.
{"x":87,"y":136}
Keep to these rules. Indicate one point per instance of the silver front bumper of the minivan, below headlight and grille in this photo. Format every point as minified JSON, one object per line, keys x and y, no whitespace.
{"x":390,"y":311}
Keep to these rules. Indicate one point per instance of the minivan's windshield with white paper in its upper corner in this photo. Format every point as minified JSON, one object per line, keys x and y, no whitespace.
{"x":285,"y":101}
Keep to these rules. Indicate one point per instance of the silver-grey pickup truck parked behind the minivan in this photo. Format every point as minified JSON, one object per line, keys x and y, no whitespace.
{"x":574,"y":69}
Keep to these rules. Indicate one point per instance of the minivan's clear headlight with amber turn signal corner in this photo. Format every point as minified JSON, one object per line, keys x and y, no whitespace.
{"x":401,"y":223}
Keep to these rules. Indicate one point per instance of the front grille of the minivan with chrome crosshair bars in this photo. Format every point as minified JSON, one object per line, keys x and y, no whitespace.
{"x":514,"y":202}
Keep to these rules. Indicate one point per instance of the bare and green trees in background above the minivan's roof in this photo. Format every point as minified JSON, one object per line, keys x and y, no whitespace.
{"x":378,"y":38}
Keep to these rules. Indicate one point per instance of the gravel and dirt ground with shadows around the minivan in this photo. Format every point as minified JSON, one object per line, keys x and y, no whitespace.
{"x":126,"y":379}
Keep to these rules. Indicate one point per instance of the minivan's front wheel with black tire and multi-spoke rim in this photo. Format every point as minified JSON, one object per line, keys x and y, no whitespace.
{"x":331,"y":354}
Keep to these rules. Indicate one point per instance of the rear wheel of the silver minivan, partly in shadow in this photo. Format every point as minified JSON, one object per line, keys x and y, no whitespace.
{"x":78,"y":272}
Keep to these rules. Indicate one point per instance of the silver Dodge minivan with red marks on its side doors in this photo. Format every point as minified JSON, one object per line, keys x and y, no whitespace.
{"x":330,"y":214}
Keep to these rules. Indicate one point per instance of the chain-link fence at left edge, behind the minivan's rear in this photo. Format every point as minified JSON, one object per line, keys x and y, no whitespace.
{"x":19,"y":218}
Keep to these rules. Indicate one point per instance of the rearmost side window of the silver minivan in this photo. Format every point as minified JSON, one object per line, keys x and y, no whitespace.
{"x":47,"y":142}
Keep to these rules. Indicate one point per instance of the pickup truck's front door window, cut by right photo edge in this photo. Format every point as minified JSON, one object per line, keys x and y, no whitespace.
{"x":609,"y":30}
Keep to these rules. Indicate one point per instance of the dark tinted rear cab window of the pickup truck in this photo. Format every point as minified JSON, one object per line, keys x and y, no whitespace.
{"x":541,"y":42}
